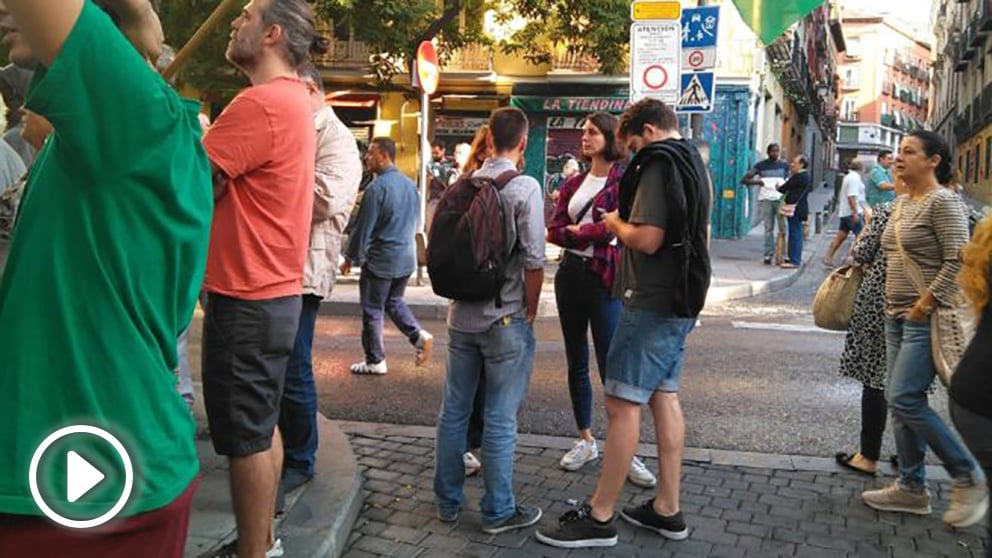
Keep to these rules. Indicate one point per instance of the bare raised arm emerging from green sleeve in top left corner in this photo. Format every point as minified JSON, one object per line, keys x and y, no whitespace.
{"x":45,"y":24}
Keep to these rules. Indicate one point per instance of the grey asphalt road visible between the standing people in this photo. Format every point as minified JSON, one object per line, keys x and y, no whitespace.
{"x":758,"y":377}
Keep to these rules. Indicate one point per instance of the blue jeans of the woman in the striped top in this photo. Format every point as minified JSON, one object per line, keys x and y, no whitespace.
{"x":915,"y":425}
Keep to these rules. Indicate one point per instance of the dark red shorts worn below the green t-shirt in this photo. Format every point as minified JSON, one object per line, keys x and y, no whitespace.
{"x":159,"y":533}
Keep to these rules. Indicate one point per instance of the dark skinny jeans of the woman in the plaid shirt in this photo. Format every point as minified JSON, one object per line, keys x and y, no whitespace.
{"x":584,"y":302}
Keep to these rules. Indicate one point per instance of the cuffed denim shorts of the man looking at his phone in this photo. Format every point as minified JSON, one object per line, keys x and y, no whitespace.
{"x":646,"y":354}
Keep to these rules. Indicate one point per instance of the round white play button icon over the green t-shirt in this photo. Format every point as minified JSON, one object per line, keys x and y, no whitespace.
{"x":81,"y":476}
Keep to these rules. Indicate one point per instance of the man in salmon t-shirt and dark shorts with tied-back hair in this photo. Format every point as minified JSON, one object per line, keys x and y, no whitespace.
{"x":262,"y":149}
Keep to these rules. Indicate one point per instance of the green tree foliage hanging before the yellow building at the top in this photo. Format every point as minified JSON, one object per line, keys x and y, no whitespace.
{"x":393,"y":29}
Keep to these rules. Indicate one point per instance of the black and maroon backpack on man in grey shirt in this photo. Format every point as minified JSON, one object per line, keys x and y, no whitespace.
{"x":466,"y":251}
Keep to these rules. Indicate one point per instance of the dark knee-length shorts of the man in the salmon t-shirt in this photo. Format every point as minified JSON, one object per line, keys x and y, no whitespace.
{"x":246,"y":347}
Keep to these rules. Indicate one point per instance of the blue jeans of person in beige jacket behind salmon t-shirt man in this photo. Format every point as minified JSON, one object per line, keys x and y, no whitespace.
{"x":298,"y":411}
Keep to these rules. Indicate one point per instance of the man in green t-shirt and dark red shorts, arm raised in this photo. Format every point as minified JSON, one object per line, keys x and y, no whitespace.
{"x":106,"y":260}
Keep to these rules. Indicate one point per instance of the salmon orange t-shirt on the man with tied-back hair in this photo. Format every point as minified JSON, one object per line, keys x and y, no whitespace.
{"x":264,"y":141}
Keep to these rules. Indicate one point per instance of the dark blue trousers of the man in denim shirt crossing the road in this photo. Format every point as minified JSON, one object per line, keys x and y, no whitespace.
{"x":383,"y":296}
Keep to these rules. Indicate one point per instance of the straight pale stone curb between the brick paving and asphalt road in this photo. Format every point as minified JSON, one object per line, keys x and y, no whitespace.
{"x":731,"y":458}
